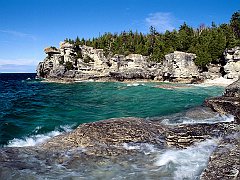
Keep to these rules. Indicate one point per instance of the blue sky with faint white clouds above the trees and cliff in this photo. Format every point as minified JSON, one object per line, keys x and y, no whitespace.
{"x":28,"y":26}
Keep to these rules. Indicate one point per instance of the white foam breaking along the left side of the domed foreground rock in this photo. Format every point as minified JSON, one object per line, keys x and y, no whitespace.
{"x":34,"y":140}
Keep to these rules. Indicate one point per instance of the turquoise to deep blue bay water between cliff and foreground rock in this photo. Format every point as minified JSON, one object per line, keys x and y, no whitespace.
{"x":30,"y":107}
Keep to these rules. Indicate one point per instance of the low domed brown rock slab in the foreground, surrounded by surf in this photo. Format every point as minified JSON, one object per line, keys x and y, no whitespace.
{"x":106,"y":137}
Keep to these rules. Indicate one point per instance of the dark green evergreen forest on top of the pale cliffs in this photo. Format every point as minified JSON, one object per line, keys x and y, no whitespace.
{"x":208,"y":43}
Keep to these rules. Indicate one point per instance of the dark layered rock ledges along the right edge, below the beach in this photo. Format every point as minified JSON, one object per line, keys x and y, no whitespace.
{"x":225,"y":163}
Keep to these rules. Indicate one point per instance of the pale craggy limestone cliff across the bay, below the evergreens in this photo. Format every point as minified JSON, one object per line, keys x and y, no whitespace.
{"x":85,"y":63}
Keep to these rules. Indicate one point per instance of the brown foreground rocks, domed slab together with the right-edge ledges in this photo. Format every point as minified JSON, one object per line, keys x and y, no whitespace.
{"x":105,"y":137}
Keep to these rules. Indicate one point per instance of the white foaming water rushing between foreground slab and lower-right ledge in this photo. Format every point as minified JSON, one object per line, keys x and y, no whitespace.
{"x":187,"y":163}
